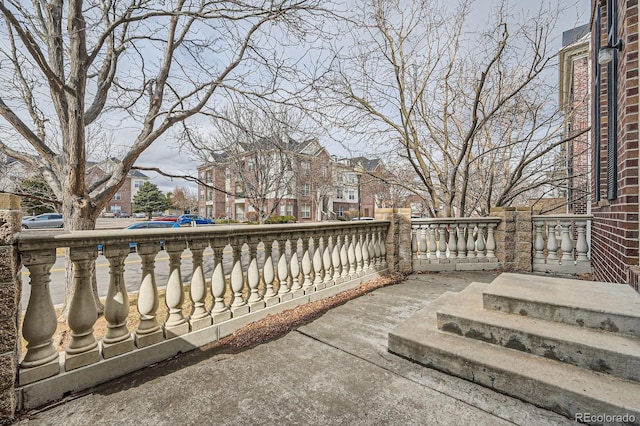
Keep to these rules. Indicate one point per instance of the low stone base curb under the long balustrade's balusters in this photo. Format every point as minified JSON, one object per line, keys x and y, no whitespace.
{"x":53,"y":388}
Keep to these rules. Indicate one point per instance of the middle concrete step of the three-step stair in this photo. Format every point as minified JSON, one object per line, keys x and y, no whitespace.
{"x":609,"y":353}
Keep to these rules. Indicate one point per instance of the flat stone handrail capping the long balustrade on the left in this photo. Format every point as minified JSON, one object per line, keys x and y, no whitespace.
{"x":50,"y":239}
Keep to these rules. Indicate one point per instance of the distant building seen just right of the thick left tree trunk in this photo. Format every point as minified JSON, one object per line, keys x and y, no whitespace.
{"x":122,"y":201}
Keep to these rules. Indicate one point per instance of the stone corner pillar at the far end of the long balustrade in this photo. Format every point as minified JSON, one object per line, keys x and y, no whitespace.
{"x":398,"y":242}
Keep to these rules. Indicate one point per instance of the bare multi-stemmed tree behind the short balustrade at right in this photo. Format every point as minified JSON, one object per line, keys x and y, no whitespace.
{"x":473,"y":113}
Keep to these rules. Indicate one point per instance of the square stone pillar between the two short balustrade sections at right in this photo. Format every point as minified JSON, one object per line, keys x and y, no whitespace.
{"x":514,"y":238}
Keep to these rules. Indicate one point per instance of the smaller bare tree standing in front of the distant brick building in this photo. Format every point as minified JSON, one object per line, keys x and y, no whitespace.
{"x":254,"y":143}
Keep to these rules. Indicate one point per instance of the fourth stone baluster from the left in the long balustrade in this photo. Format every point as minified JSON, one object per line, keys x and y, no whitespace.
{"x":149,"y":331}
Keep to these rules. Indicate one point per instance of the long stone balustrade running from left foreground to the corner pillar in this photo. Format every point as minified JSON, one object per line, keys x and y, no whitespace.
{"x":232,"y":276}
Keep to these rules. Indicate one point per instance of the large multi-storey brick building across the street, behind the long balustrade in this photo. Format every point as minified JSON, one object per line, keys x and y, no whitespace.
{"x":293,"y":179}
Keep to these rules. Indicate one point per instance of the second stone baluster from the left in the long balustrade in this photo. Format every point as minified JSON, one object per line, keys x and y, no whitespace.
{"x":83,"y":347}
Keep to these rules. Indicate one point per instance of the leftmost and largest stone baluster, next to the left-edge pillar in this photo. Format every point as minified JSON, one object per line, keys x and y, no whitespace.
{"x":39,"y":324}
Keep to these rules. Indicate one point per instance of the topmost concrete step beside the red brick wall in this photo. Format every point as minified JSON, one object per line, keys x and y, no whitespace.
{"x":602,"y":306}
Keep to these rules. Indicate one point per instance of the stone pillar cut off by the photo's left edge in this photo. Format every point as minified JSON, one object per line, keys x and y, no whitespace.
{"x":10,"y":309}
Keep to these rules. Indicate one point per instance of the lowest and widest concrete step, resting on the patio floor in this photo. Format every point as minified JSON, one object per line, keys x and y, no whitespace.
{"x":547,"y":383}
